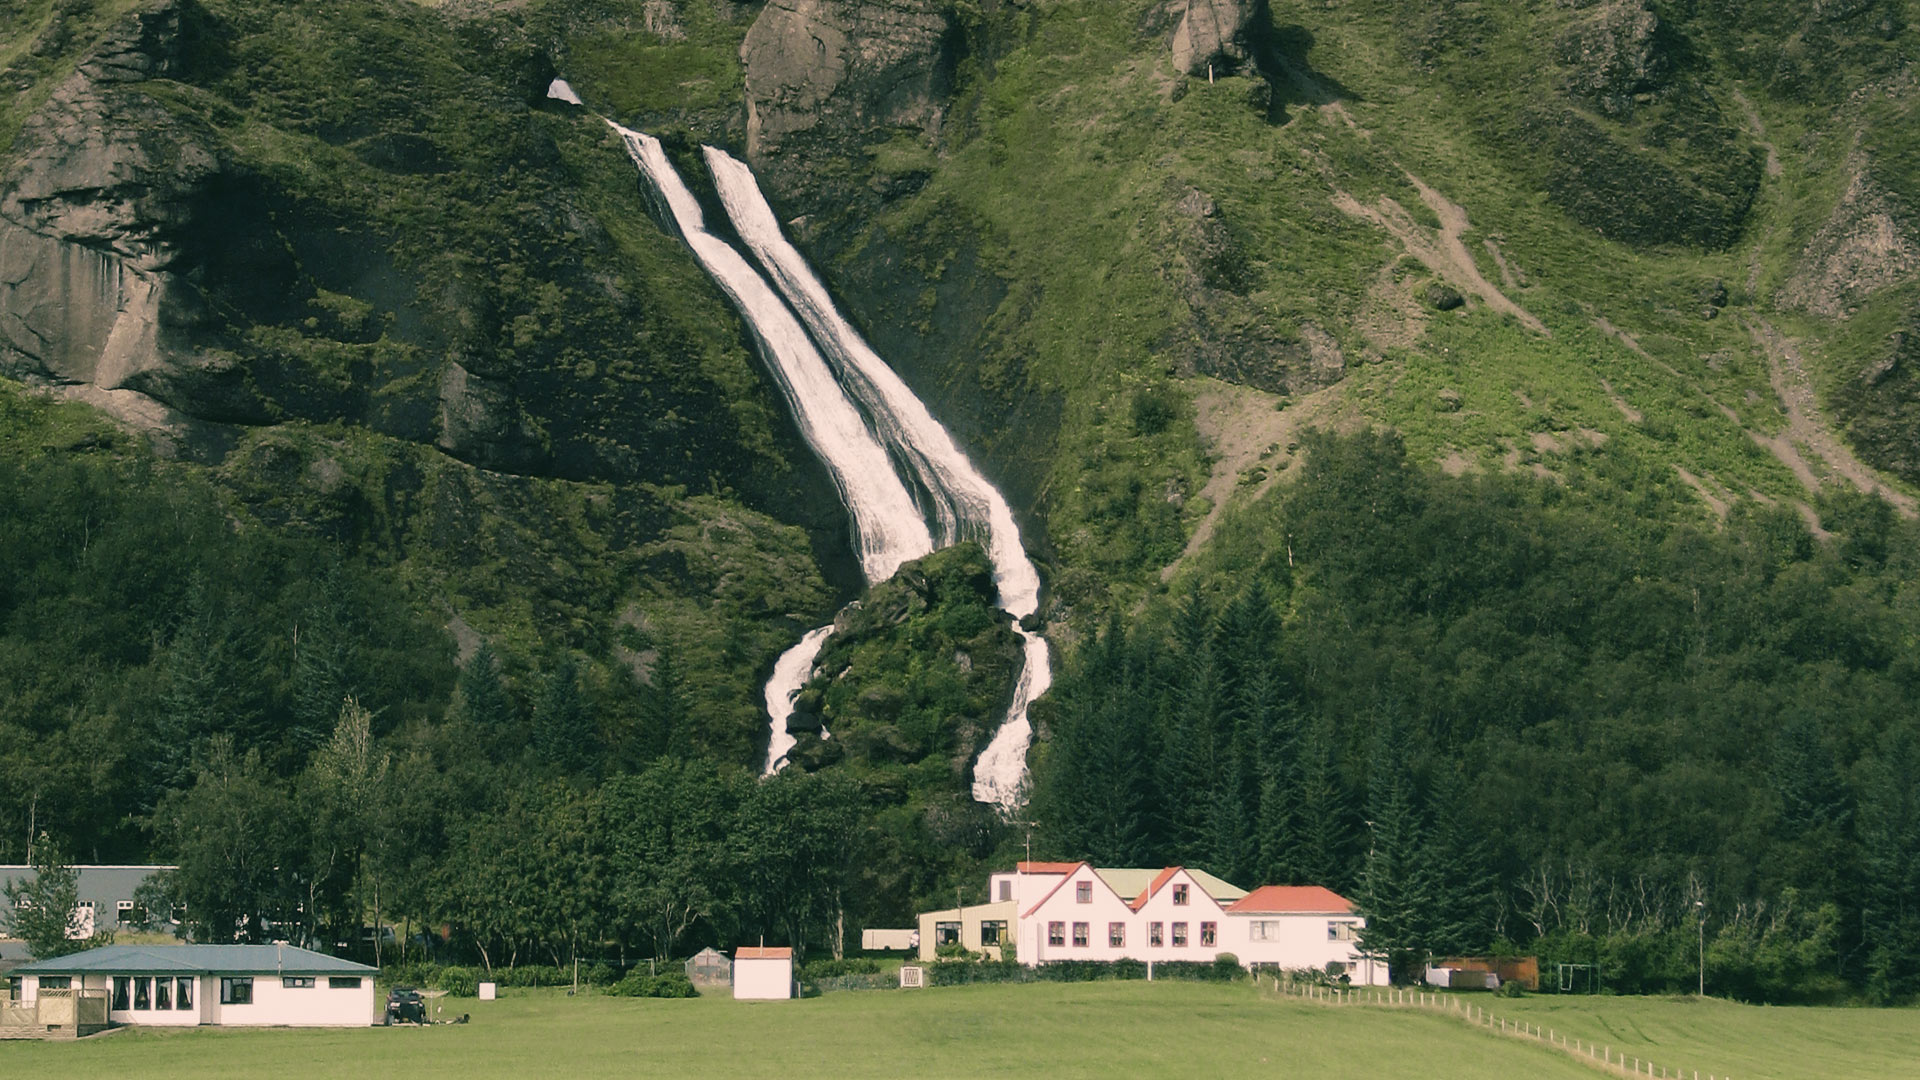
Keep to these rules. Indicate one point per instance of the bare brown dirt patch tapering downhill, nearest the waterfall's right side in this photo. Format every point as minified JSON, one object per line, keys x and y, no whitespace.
{"x":1243,"y":430}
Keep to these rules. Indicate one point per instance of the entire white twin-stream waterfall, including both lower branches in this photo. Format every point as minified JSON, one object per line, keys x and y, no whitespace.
{"x":907,"y":487}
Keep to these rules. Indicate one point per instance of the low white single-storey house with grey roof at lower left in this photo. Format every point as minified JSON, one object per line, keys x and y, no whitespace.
{"x":210,"y":985}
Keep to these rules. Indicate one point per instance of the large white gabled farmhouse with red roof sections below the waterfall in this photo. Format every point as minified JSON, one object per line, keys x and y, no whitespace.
{"x":1076,"y":912}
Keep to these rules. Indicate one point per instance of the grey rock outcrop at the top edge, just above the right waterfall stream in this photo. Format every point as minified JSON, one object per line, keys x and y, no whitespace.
{"x":830,"y":78}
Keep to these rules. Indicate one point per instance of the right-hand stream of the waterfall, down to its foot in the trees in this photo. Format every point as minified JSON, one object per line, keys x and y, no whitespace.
{"x":963,"y":503}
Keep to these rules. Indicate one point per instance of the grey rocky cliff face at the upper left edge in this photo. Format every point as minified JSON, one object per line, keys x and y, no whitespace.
{"x":91,"y":226}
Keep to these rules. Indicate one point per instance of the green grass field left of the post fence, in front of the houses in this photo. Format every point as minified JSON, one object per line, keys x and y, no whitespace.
{"x":1092,"y":1031}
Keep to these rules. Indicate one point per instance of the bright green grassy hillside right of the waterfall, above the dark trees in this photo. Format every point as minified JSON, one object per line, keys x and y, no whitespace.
{"x":1063,"y":174}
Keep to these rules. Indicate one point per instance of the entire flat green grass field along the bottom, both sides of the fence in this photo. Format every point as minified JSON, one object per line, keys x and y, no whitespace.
{"x":1090,"y":1031}
